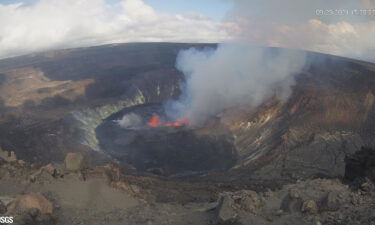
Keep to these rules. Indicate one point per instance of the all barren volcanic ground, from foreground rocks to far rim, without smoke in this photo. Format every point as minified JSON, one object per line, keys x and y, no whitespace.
{"x":306,"y":160}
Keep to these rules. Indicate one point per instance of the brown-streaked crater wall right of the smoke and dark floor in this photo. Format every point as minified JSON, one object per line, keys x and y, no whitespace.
{"x":329,"y":115}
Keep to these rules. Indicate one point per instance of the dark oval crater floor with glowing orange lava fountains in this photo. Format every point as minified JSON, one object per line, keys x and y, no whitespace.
{"x":164,"y":147}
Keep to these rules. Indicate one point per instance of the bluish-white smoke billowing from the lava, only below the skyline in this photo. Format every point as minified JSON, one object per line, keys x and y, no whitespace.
{"x":230,"y":76}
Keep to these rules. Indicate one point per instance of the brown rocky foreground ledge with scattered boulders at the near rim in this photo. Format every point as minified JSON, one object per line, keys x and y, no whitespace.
{"x":69,"y":193}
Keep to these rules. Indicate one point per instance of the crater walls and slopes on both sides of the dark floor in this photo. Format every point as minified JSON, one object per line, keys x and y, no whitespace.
{"x":52,"y":103}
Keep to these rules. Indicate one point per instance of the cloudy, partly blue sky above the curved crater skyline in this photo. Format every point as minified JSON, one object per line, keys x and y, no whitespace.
{"x":341,"y":27}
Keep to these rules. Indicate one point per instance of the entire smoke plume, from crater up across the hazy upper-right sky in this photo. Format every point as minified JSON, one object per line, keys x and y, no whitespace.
{"x":240,"y":75}
